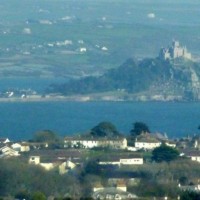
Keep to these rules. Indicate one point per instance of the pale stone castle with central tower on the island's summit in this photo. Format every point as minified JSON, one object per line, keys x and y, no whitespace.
{"x":174,"y":51}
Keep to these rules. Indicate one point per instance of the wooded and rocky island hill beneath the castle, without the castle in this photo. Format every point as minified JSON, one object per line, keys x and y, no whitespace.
{"x":149,"y":79}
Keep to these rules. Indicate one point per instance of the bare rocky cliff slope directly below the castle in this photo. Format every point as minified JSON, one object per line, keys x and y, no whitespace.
{"x":180,"y":81}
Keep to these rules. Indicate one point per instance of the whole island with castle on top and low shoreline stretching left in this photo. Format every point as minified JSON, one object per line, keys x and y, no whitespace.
{"x":172,"y":76}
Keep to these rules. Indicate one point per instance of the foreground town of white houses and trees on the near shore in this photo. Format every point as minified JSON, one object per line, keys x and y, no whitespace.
{"x":101,"y":163}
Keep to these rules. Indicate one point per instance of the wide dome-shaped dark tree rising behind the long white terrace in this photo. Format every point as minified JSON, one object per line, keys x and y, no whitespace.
{"x":104,"y":129}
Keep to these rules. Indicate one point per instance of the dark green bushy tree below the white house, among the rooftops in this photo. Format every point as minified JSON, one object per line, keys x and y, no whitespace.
{"x":164,"y":153}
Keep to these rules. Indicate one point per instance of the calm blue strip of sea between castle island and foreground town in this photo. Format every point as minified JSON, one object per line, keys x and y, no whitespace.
{"x":21,"y":120}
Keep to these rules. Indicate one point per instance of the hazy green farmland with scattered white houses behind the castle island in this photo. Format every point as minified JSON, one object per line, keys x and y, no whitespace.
{"x":45,"y":37}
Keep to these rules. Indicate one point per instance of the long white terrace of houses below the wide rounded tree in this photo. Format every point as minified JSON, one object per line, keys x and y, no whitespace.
{"x":116,"y":143}
